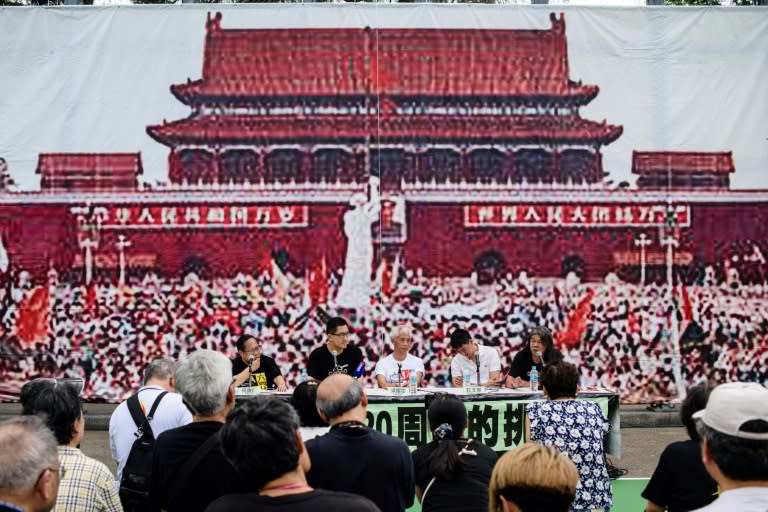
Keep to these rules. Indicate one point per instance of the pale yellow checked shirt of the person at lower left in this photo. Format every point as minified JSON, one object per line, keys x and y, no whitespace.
{"x":87,"y":486}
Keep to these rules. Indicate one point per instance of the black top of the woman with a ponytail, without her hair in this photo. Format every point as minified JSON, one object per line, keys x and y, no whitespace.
{"x":468,"y":491}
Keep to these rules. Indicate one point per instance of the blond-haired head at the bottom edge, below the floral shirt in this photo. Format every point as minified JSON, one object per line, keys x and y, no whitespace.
{"x":533,"y":478}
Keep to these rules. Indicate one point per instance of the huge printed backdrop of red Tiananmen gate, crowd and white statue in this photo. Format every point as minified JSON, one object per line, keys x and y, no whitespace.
{"x":171,"y":177}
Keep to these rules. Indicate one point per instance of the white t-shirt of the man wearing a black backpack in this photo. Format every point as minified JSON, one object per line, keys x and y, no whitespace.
{"x":171,"y":413}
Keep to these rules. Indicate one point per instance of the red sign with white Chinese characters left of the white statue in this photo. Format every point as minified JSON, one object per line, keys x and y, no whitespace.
{"x":204,"y":216}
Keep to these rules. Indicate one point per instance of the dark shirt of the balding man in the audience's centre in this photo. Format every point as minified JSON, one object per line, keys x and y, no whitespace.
{"x":365,"y":462}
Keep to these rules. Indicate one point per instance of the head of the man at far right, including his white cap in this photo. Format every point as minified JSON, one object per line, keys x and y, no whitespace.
{"x":734,"y":431}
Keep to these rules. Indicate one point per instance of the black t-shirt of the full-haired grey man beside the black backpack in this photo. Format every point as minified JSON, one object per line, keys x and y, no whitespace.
{"x":211,"y":478}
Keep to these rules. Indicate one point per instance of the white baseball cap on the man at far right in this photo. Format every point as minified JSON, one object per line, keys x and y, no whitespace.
{"x":733,"y":404}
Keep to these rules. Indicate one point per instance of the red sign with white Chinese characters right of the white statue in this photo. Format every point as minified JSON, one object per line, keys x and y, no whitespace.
{"x":576,"y":215}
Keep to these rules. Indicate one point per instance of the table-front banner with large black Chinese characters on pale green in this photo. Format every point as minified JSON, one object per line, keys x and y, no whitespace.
{"x":497,"y":423}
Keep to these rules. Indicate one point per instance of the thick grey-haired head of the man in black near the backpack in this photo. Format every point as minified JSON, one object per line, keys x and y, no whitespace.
{"x":204,"y":380}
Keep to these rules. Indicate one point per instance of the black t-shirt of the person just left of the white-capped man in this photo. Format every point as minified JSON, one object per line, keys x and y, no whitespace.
{"x":680,"y":480}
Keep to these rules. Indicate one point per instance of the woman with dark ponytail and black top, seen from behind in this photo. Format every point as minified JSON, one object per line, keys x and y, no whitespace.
{"x":452,"y":473}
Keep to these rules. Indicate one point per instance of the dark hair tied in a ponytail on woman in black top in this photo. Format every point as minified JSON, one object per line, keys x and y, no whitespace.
{"x":448,"y":409}
